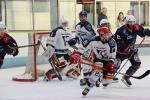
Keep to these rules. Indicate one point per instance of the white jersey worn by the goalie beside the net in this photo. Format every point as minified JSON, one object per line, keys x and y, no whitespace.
{"x":58,"y":40}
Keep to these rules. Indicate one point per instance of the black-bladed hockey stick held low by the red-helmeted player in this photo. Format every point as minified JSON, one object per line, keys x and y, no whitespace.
{"x":146,"y":73}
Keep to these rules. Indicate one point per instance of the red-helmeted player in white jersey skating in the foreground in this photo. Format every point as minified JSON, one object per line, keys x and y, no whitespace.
{"x":103,"y":48}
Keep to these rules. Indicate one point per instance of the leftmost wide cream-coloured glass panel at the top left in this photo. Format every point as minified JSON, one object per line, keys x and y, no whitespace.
{"x":19,"y":15}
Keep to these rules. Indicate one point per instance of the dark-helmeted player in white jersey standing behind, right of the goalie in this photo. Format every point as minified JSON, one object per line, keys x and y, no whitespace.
{"x":84,"y":34}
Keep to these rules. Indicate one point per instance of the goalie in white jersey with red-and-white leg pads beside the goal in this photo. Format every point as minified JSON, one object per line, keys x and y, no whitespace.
{"x":60,"y":57}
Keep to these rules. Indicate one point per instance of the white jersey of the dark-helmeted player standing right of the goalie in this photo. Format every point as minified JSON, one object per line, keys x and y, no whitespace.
{"x":85,"y":33}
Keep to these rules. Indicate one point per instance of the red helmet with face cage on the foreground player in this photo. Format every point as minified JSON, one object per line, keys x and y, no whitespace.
{"x":104,"y":34}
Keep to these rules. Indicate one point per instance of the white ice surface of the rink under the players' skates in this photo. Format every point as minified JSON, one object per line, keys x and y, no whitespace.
{"x":70,"y":89}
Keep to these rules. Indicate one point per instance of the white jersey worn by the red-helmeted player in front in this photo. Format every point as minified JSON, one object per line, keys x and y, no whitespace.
{"x":102,"y":51}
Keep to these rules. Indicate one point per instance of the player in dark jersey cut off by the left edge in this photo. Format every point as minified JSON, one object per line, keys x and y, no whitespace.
{"x":7,"y":44}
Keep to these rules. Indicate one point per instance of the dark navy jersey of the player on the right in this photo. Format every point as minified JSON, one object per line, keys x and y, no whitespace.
{"x":126,"y":38}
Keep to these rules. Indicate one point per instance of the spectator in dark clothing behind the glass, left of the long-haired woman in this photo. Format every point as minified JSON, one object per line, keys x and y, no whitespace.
{"x":102,"y":15}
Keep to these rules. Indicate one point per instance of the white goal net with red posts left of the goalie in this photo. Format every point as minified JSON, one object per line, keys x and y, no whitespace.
{"x":36,"y":62}
